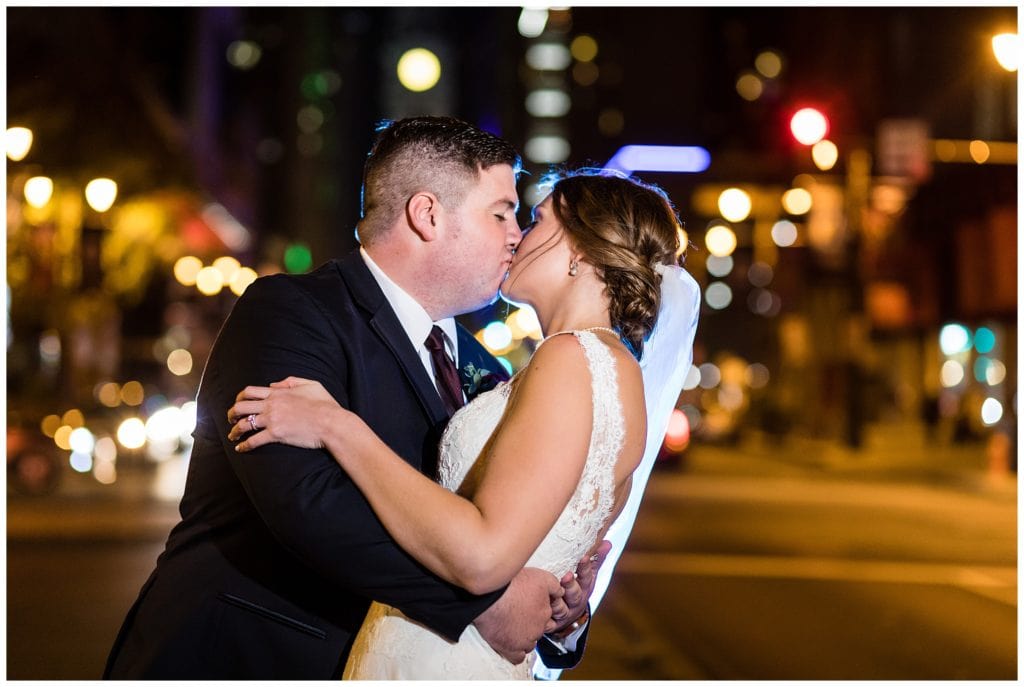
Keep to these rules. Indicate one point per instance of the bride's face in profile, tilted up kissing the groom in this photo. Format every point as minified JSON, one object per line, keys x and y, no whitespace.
{"x":541,"y":262}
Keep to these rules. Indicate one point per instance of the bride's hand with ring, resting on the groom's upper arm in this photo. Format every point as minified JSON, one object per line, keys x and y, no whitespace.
{"x":294,"y":411}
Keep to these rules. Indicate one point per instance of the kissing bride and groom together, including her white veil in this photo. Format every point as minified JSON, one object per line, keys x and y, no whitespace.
{"x":370,"y":496}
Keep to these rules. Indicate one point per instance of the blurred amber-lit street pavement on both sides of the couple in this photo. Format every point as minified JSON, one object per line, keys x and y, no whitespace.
{"x":750,"y":563}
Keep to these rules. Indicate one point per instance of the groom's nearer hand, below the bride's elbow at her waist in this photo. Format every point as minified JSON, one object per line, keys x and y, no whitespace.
{"x":515,"y":624}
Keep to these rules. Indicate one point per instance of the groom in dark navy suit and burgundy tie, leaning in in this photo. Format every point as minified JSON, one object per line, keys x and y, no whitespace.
{"x":272,"y":569}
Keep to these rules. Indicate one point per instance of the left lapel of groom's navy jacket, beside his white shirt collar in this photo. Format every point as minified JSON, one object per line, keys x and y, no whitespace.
{"x":386,"y":323}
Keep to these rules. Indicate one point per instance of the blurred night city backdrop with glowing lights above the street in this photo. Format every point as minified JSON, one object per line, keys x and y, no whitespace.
{"x":855,"y":230}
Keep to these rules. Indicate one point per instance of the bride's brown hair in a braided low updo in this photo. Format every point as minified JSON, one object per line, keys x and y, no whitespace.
{"x":624,"y":228}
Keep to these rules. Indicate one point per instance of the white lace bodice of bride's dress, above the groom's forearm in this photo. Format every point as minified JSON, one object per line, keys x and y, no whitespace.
{"x":590,"y":507}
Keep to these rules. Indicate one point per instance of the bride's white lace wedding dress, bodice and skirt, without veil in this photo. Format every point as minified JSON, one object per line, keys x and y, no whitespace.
{"x":391,"y":647}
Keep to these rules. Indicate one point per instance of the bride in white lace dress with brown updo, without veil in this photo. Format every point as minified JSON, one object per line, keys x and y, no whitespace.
{"x":574,"y":421}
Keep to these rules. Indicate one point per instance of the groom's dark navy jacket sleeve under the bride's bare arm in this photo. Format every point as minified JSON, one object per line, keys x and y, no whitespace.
{"x":309,"y":504}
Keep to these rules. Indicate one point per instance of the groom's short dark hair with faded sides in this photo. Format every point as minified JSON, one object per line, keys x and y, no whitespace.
{"x":442,"y":155}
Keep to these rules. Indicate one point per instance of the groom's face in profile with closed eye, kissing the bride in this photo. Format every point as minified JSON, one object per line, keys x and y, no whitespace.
{"x":483,"y":234}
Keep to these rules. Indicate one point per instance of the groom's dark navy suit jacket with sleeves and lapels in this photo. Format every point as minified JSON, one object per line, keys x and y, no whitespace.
{"x":278,"y":554}
